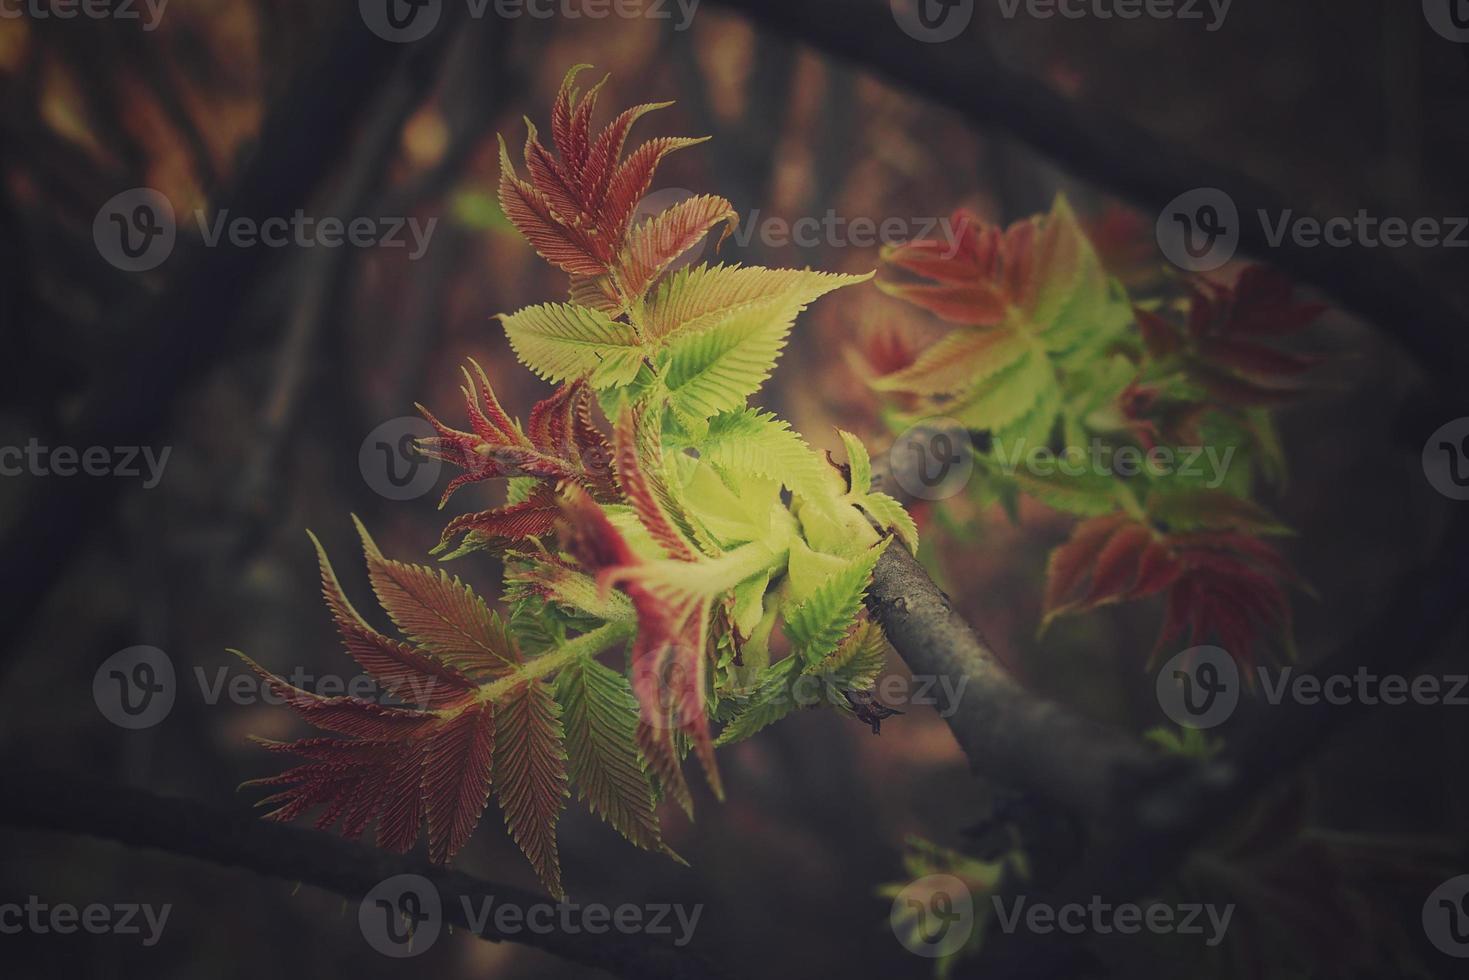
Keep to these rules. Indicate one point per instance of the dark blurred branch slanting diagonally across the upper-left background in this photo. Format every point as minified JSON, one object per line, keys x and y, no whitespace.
{"x":303,"y":137}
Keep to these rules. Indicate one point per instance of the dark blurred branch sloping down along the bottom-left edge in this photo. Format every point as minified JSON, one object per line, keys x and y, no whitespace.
{"x":70,"y":804}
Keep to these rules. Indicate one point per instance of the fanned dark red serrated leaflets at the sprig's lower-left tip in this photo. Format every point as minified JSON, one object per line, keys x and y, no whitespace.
{"x":430,"y":762}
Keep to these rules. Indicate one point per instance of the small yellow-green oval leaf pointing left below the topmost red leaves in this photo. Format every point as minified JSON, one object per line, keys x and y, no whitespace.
{"x":562,"y":342}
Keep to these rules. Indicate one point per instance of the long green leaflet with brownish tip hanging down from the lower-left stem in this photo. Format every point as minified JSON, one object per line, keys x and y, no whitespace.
{"x":602,"y":740}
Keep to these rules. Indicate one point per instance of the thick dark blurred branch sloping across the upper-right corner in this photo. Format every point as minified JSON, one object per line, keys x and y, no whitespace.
{"x":1122,"y":158}
